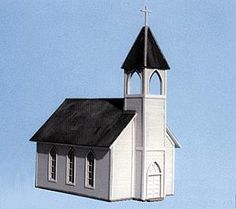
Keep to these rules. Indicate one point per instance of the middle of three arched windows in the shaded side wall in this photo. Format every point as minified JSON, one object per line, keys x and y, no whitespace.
{"x":71,"y":167}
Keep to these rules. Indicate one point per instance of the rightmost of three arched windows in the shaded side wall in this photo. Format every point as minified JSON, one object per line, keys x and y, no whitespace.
{"x":90,"y":170}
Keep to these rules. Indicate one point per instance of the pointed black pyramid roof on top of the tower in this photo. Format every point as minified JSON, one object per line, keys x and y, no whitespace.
{"x":154,"y":56}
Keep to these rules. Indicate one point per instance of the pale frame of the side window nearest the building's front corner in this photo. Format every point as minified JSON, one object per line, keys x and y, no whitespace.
{"x":87,"y":184}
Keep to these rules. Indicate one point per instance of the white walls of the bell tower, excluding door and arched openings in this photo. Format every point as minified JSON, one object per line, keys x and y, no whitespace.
{"x":150,"y":130}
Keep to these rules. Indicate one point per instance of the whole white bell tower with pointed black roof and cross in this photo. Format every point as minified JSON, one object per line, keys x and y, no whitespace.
{"x":146,"y":63}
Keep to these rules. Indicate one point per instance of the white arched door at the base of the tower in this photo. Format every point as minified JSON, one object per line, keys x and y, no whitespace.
{"x":154,"y":181}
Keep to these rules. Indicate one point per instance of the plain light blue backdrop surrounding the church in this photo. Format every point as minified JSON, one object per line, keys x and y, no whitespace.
{"x":52,"y":50}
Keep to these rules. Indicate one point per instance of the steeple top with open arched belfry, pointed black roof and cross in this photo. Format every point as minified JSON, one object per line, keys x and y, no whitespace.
{"x":145,"y":59}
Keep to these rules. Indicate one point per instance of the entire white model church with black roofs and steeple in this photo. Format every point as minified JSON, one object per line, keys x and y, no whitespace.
{"x":113,"y":149}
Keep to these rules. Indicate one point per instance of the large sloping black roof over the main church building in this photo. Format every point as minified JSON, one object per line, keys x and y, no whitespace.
{"x":86,"y":122}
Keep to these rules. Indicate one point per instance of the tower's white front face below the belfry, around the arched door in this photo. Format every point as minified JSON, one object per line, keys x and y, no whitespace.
{"x":154,"y":107}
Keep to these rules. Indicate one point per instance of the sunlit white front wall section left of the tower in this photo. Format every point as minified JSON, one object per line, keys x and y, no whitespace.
{"x":121,"y":164}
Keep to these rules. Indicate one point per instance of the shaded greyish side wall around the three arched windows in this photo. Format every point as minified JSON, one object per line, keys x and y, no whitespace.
{"x":101,"y":189}
